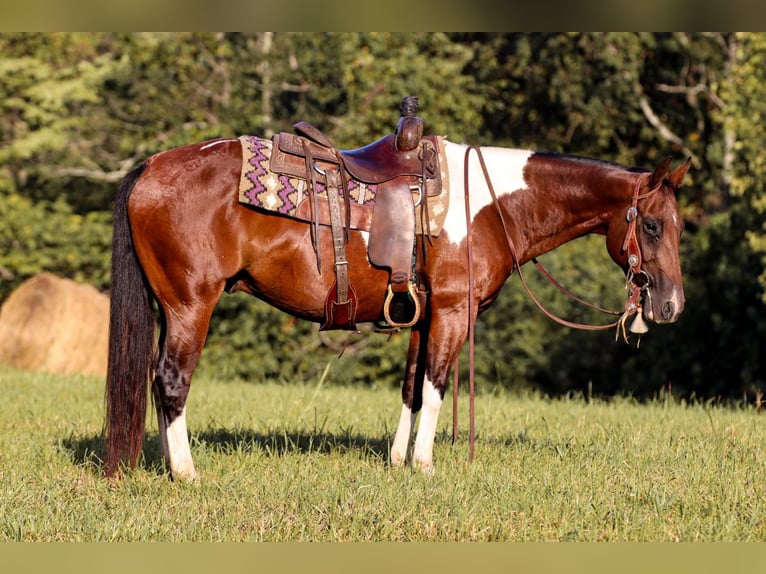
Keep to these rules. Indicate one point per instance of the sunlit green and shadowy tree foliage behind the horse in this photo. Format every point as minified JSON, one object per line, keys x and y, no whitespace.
{"x":78,"y":110}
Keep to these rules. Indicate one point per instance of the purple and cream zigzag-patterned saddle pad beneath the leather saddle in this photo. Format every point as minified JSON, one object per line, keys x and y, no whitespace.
{"x":286,"y":194}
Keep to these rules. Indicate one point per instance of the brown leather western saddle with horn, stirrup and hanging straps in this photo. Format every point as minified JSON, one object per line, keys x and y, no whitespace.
{"x":396,"y":165}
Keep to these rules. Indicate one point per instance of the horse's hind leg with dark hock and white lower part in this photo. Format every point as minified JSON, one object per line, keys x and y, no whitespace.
{"x":181,"y":344}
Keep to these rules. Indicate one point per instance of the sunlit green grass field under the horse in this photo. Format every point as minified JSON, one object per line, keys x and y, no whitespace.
{"x":309,"y":463}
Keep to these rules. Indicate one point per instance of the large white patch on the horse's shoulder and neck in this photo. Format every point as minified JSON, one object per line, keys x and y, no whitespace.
{"x":506,"y":169}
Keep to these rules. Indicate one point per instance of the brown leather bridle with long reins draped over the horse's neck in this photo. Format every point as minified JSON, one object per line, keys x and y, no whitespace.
{"x":630,"y":247}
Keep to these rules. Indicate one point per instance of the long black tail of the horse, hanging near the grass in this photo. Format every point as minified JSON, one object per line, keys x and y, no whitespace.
{"x":131,"y":341}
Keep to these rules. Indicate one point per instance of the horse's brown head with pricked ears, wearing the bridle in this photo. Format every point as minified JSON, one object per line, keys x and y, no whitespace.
{"x":643,"y":238}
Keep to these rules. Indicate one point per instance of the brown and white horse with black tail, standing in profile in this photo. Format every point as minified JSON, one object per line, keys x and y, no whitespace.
{"x":181,"y":239}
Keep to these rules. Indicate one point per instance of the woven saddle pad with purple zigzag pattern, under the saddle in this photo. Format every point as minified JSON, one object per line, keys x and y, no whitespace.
{"x":261,"y":188}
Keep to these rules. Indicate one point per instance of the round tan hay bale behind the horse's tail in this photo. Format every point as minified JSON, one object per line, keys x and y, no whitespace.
{"x":55,"y":325}
